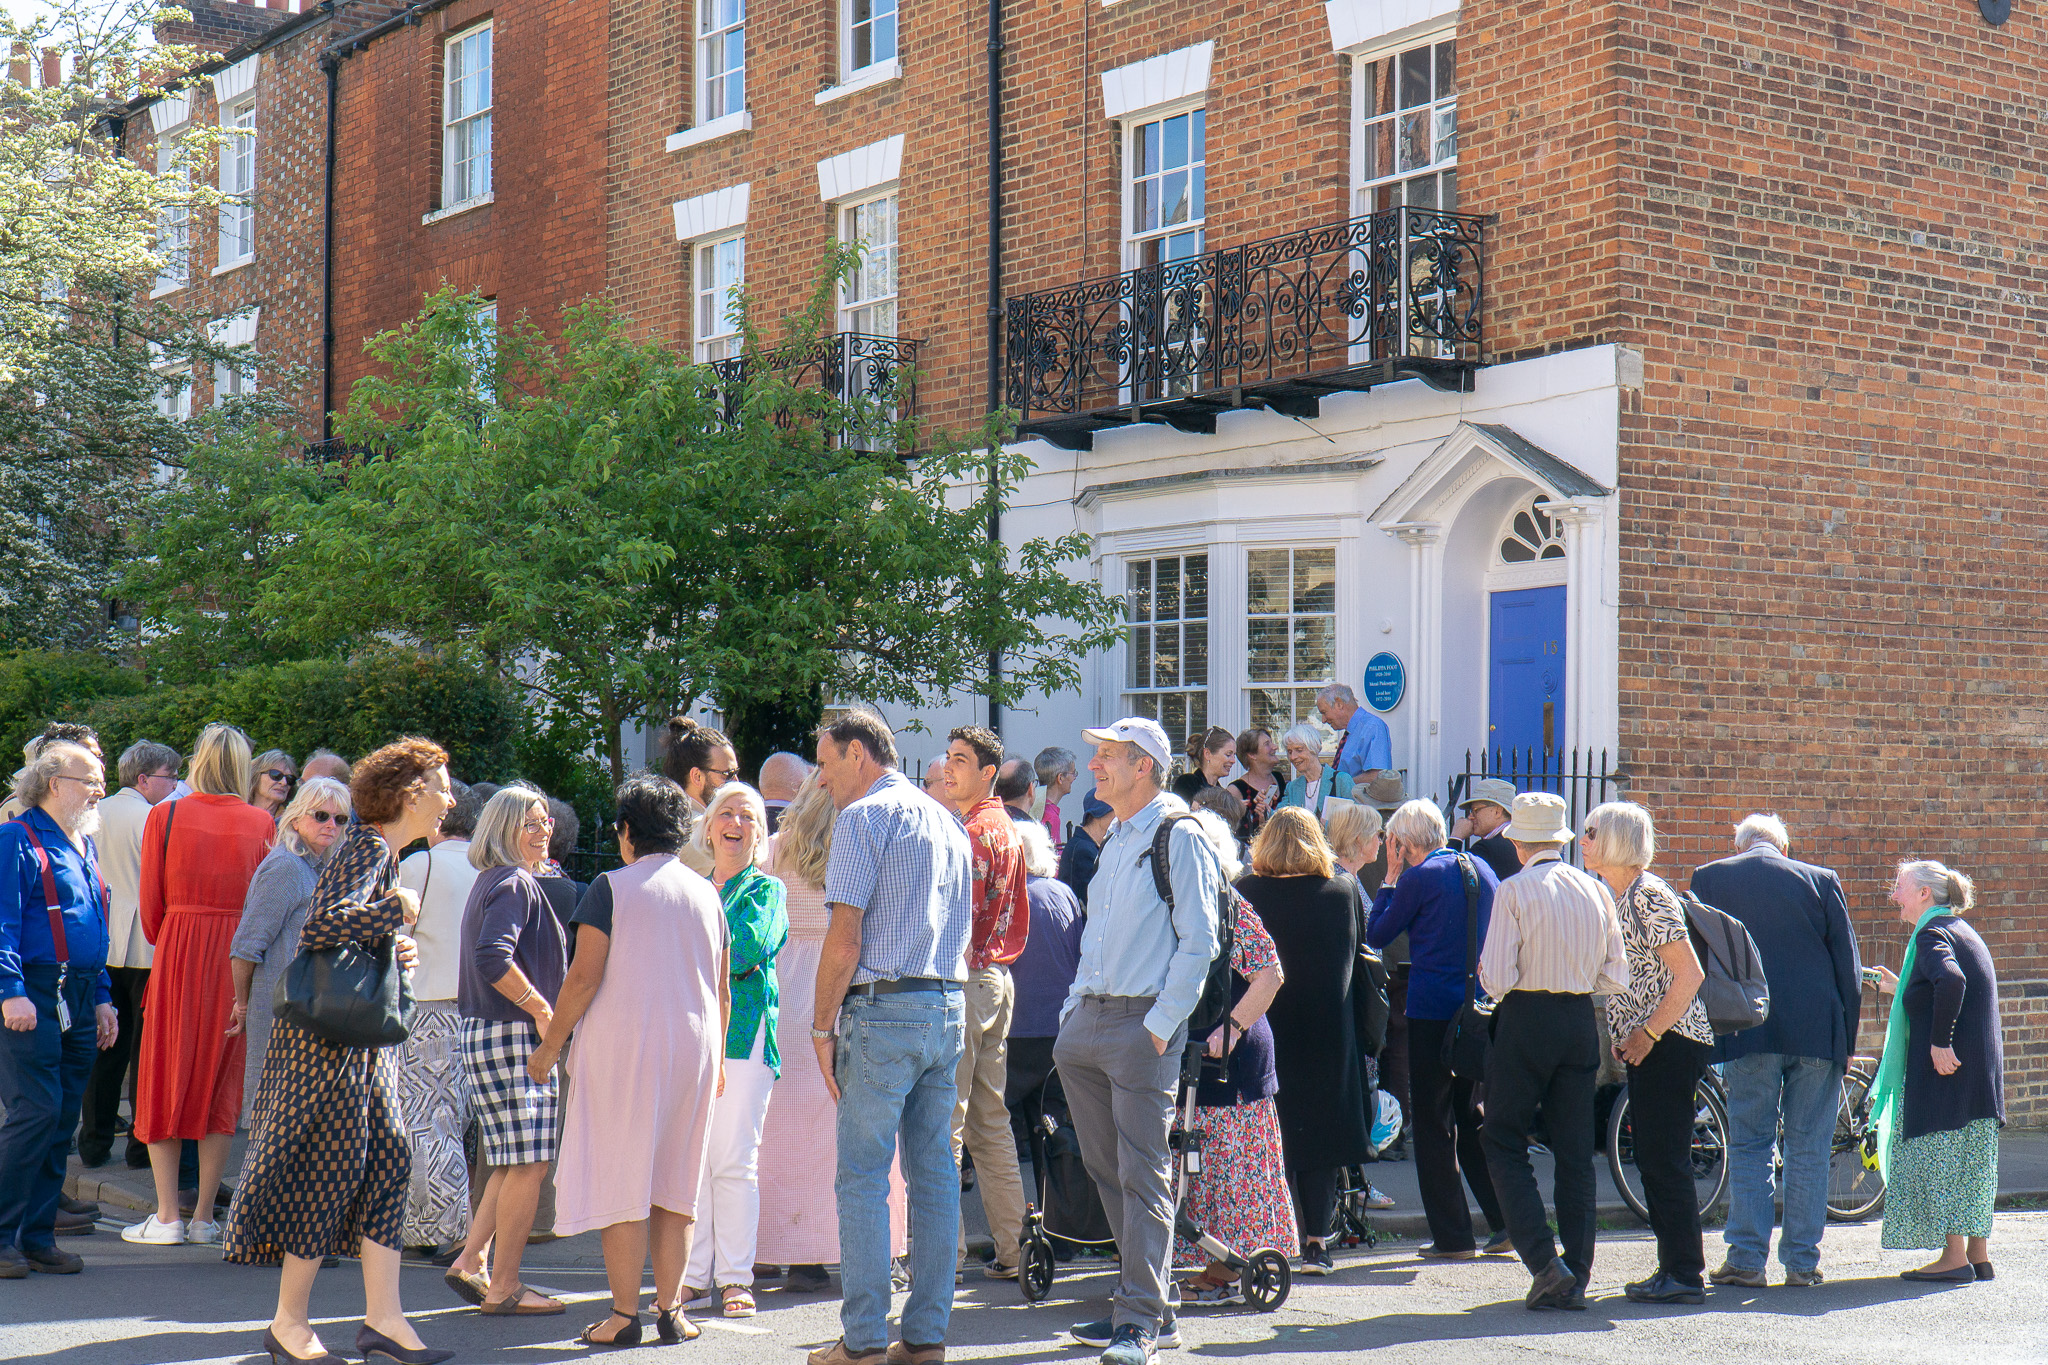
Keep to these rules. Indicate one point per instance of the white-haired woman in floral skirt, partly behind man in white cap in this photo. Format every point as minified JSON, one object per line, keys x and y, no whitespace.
{"x":1240,"y":1196}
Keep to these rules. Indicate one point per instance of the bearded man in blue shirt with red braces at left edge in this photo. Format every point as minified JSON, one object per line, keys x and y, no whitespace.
{"x":56,"y":1000}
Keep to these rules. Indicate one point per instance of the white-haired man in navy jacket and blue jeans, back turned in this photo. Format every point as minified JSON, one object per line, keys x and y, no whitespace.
{"x":1801,"y":924}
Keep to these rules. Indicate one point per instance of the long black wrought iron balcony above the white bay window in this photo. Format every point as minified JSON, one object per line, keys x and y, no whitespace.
{"x":1269,"y":324}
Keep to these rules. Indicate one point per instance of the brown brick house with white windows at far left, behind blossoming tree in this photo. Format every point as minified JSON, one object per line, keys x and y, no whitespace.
{"x":257,"y":263}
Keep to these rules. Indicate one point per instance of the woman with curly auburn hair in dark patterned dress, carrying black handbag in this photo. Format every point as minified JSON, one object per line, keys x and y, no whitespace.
{"x":329,"y":1165}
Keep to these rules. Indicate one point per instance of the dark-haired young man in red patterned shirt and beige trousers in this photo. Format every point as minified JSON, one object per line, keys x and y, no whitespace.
{"x":1002,"y":922}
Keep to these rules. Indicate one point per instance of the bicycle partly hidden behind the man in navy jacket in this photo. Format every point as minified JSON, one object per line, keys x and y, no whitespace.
{"x":1854,"y":1192}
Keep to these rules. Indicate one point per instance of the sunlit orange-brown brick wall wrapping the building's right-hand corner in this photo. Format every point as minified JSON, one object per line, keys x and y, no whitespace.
{"x":1824,"y":232}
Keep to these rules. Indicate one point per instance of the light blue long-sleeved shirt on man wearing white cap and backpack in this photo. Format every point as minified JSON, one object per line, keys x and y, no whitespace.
{"x":1132,"y":946}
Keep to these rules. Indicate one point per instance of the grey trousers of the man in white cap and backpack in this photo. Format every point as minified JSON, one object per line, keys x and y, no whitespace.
{"x":1121,"y":1096}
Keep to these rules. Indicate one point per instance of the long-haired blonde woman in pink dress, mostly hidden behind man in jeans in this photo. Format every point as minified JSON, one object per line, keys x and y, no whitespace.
{"x":800,"y":1149}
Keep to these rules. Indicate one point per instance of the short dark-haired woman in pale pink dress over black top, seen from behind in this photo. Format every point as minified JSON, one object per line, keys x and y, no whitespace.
{"x":648,"y":1004}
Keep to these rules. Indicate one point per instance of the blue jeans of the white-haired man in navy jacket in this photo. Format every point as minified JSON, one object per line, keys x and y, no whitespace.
{"x":1807,"y":1092}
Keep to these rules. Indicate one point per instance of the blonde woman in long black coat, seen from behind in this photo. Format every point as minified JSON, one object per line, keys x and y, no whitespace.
{"x":1312,"y":916}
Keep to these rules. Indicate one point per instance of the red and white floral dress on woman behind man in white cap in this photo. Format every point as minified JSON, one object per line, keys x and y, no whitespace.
{"x":1240,"y":1196}
